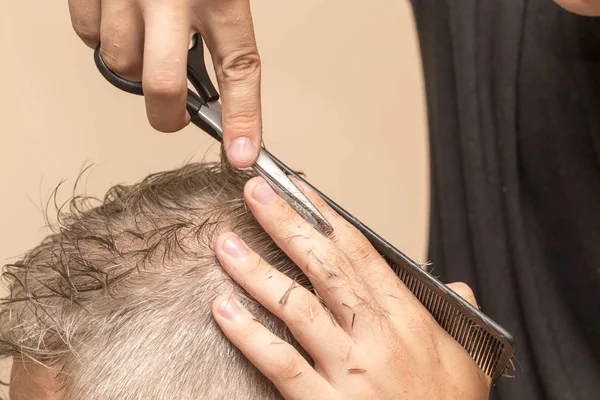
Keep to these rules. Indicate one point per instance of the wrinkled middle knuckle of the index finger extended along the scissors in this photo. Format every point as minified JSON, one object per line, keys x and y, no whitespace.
{"x":240,"y":66}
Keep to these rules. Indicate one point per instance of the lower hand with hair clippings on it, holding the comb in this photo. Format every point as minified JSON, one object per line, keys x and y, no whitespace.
{"x":376,"y":342}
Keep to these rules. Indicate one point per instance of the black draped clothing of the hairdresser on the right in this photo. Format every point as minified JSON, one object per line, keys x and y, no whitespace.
{"x":513,"y":95}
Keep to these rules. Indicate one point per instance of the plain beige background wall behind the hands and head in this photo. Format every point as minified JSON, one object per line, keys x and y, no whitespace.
{"x":342,"y":98}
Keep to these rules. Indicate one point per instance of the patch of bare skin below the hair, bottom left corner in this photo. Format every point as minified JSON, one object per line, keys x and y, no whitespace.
{"x":31,"y":381}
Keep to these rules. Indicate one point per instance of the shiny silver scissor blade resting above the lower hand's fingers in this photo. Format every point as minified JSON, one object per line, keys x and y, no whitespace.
{"x":284,"y":186}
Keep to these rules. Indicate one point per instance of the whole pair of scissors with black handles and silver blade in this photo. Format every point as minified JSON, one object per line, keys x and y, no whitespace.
{"x":205,"y":112}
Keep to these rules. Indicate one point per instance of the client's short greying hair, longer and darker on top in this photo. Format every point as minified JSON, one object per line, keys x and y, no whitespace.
{"x":117,"y":299}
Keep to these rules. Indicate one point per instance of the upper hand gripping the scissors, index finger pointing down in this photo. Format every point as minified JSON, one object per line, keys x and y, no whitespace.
{"x":148,"y":40}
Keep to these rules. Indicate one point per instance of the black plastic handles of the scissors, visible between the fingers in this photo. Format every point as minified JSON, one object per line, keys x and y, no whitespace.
{"x":197,"y":75}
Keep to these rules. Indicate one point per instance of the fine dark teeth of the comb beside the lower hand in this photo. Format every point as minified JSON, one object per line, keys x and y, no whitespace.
{"x":486,"y":349}
